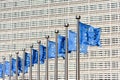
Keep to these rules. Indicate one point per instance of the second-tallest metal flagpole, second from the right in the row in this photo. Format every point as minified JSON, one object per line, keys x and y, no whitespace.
{"x":66,"y":51}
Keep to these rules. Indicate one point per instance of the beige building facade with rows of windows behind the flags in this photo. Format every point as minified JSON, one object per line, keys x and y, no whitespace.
{"x":23,"y":22}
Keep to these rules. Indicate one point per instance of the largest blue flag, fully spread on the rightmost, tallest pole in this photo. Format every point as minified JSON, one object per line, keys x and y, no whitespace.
{"x":89,"y":35}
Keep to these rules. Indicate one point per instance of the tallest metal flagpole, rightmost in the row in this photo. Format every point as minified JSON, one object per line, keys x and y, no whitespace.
{"x":78,"y":50}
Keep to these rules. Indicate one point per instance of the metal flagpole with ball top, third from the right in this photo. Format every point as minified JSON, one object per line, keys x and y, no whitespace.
{"x":56,"y":56}
